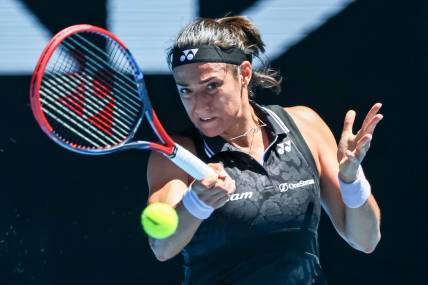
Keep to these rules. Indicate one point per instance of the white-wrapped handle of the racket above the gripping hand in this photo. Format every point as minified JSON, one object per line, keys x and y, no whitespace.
{"x":190,"y":163}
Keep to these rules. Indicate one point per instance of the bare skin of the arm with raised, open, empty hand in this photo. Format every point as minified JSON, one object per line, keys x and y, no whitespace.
{"x":359,"y":227}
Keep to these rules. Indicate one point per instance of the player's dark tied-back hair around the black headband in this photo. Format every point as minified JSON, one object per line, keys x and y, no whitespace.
{"x":236,"y":31}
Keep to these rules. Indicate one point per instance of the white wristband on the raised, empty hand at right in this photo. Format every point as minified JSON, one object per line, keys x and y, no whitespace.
{"x":355,"y":194}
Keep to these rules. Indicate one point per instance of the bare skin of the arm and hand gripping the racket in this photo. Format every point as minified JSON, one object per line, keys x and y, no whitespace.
{"x":167,"y":183}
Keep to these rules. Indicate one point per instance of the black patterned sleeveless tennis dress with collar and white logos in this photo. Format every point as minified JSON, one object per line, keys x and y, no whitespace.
{"x":267,"y":232}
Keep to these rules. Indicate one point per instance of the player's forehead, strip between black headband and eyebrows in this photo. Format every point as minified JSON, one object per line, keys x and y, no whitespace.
{"x":199,"y":71}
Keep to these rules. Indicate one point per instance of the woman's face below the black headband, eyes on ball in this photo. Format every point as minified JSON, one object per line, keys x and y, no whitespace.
{"x":211,"y":95}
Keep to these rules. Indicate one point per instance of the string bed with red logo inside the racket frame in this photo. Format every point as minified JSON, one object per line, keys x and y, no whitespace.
{"x":98,"y":129}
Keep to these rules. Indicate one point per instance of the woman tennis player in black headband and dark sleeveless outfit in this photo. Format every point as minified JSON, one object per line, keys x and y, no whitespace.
{"x":256,"y":220}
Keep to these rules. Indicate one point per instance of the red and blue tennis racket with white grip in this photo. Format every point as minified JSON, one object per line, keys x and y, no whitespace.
{"x":88,"y":95}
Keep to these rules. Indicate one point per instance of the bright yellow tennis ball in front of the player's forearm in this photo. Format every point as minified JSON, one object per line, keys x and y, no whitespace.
{"x":159,"y":220}
